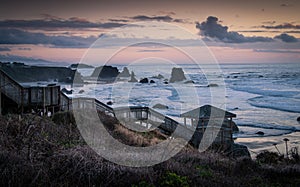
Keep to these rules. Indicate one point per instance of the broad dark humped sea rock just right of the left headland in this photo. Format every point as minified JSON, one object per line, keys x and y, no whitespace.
{"x":105,"y":72}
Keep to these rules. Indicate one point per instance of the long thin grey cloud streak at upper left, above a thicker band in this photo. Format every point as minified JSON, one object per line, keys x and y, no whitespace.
{"x":57,"y":23}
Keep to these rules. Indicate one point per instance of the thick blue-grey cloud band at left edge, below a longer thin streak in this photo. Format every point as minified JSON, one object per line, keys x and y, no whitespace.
{"x":15,"y":36}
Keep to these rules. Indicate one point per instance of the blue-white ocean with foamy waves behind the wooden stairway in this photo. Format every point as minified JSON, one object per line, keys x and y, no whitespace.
{"x":265,"y":97}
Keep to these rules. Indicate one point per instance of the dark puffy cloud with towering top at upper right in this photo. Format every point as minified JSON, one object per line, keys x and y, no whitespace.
{"x":213,"y":29}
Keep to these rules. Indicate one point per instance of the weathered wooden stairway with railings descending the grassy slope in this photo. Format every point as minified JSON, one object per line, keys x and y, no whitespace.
{"x":49,"y":98}
